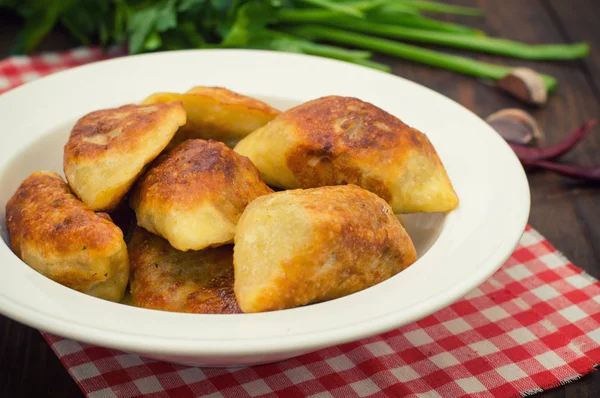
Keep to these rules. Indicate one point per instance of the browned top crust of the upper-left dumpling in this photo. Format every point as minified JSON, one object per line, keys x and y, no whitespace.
{"x":121,"y":129}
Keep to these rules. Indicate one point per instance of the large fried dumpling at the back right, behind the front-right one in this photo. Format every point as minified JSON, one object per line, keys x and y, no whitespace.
{"x":342,"y":140}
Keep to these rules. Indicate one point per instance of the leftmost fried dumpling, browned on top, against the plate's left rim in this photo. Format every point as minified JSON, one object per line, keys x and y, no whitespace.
{"x":61,"y":238}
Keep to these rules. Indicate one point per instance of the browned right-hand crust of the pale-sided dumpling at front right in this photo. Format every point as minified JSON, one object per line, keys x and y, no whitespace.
{"x":360,"y":229}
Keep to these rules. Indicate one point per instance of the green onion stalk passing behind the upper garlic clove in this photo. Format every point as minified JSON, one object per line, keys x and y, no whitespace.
{"x":451,"y":62}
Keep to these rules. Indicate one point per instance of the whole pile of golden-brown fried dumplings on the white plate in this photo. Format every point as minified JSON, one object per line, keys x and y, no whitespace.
{"x":208,"y":235}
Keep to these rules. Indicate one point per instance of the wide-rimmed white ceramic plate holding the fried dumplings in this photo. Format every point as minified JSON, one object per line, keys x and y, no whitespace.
{"x":456,"y":252}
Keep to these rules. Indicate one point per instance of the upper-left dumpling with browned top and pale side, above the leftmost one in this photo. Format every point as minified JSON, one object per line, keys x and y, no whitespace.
{"x":109,"y":148}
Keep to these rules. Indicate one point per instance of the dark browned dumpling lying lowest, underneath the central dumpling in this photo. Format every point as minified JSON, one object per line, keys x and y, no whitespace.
{"x":163,"y":278}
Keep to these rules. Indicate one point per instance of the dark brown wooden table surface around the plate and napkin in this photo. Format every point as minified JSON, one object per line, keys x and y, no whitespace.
{"x":564,"y":211}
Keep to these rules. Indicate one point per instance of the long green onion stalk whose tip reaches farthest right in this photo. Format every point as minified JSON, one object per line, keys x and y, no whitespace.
{"x":477,"y":43}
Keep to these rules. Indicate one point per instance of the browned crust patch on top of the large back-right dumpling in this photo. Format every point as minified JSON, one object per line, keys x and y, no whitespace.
{"x":336,"y":131}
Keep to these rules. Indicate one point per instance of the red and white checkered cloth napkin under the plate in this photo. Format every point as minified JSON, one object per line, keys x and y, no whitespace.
{"x":532,"y":326}
